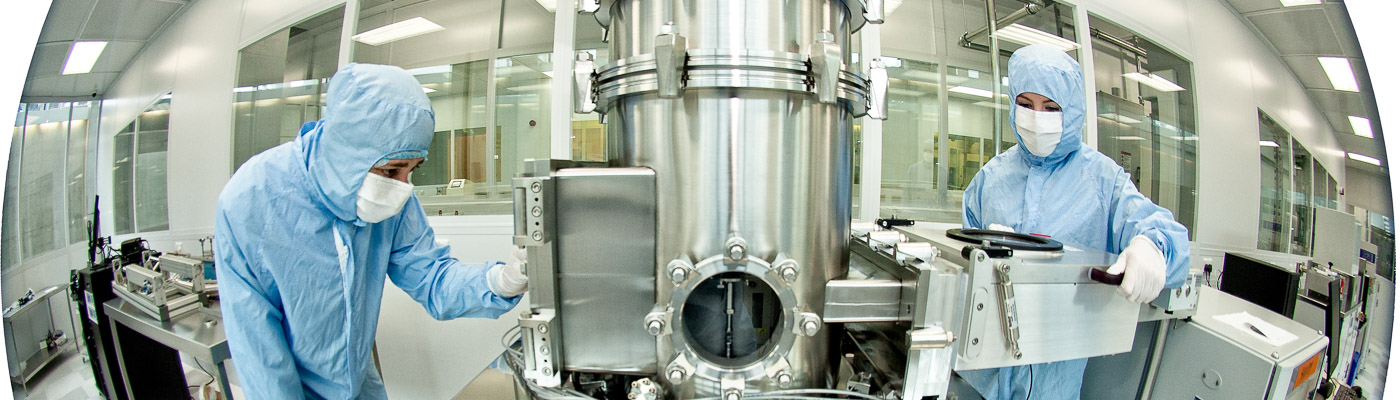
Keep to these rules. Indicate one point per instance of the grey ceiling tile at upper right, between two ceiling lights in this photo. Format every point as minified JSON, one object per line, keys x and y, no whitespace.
{"x":1303,"y":31}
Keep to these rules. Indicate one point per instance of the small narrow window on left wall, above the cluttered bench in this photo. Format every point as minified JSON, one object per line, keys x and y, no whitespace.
{"x":139,"y":185}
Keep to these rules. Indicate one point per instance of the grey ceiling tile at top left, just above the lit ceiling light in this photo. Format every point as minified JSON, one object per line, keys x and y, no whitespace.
{"x":128,"y":20}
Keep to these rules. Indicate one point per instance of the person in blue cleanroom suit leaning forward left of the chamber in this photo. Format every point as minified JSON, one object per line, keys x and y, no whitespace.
{"x":307,"y":233}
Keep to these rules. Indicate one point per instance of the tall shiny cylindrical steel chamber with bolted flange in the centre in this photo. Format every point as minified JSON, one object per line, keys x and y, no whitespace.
{"x":744,"y":110}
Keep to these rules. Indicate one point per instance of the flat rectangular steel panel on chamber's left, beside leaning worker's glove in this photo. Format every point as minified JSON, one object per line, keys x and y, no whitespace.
{"x":607,"y":229}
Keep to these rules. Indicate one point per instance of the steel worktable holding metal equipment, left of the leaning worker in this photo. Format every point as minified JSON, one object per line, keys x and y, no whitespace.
{"x":199,"y":335}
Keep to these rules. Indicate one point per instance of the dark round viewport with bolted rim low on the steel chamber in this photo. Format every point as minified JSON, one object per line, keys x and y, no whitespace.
{"x":730,"y":320}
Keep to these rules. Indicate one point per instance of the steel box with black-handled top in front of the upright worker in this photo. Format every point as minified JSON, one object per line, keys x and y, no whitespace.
{"x":1060,"y":314}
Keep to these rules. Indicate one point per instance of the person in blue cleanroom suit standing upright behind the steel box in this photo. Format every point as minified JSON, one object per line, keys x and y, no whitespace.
{"x":1052,"y":184}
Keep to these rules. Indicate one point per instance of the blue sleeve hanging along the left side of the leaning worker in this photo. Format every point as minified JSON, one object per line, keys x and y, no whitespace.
{"x":254,"y":321}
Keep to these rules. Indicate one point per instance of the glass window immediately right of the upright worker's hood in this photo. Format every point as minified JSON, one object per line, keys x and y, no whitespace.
{"x":1147,"y":127}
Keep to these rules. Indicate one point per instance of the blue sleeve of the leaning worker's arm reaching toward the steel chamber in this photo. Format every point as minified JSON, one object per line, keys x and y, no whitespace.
{"x":444,"y":286}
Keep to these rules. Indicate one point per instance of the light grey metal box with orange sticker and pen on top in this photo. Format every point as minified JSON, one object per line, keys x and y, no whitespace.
{"x":1209,"y":359}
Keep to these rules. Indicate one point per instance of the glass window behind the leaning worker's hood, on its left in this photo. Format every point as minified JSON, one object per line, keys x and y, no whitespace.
{"x":282,"y":83}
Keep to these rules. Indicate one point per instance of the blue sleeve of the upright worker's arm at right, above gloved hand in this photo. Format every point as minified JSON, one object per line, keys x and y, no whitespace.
{"x":1132,"y":215}
